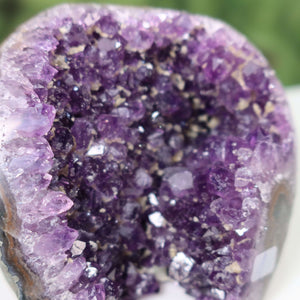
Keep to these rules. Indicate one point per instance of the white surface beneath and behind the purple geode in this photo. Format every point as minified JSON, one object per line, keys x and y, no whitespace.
{"x":285,"y":284}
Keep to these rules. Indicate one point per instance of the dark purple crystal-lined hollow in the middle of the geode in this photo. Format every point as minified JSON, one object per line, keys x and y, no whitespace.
{"x":135,"y":149}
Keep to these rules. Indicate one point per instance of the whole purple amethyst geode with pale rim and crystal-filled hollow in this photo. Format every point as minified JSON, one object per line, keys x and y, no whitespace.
{"x":136,"y":142}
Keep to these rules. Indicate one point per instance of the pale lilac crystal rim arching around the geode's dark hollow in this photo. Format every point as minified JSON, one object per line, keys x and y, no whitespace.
{"x":26,"y":118}
